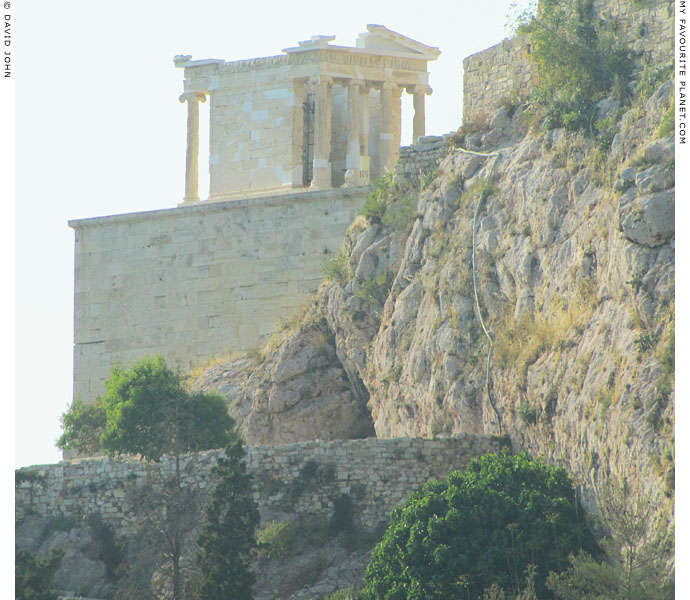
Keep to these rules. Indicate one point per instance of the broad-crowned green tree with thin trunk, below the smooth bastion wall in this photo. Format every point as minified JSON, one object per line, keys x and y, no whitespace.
{"x":147,"y":411}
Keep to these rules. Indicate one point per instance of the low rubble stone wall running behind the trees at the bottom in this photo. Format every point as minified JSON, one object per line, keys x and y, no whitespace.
{"x":377,"y":474}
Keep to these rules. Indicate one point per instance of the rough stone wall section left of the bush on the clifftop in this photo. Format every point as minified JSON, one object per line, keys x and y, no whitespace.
{"x":499,"y":74}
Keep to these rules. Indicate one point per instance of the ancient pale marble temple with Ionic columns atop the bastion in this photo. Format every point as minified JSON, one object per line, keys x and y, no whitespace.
{"x":316,"y":117}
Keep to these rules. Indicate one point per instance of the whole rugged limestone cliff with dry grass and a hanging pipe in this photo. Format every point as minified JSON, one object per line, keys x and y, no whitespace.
{"x":567,"y":346}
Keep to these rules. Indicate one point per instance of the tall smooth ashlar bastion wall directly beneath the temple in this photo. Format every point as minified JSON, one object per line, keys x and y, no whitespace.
{"x":199,"y":281}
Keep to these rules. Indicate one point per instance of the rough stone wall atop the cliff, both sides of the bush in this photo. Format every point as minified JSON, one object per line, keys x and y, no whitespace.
{"x":505,"y":72}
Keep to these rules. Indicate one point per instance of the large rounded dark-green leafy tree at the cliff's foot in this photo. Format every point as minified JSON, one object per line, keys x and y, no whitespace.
{"x":484,"y":526}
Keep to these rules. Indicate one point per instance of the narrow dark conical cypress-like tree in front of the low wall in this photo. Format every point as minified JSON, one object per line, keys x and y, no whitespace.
{"x":229,"y":534}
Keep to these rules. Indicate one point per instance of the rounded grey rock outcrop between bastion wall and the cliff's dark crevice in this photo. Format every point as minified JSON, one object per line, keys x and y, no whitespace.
{"x":300,"y":391}
